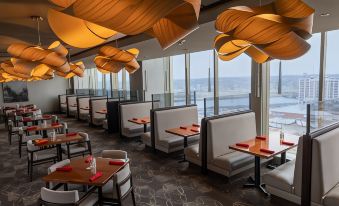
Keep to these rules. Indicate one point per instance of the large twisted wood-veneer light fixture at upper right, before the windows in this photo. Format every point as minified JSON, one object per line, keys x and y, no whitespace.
{"x":278,"y":30}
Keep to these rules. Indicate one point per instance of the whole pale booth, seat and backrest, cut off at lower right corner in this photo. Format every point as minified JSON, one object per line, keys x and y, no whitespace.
{"x":286,"y":180}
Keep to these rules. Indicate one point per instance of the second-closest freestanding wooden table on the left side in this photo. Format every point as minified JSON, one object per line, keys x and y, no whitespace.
{"x":61,"y":139}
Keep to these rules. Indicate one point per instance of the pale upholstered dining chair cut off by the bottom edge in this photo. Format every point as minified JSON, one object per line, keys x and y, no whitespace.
{"x":70,"y":198}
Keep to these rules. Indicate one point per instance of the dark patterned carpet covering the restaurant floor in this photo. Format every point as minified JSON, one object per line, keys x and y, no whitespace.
{"x":158,"y":178}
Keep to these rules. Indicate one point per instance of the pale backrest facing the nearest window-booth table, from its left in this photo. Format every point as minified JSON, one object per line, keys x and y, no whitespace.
{"x":223,"y":132}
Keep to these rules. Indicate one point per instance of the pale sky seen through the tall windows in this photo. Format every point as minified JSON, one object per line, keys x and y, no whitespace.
{"x":309,"y":63}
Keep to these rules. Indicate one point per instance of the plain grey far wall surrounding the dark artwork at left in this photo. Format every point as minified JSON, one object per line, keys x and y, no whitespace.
{"x":43,"y":93}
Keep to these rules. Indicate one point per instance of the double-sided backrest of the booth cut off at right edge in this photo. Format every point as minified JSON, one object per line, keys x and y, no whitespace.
{"x":325,"y":166}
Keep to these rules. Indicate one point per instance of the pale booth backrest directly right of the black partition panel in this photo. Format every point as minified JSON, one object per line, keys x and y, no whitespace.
{"x":134,"y":110}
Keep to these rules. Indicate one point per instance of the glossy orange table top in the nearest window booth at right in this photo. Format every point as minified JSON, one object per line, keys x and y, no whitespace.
{"x":271,"y":143}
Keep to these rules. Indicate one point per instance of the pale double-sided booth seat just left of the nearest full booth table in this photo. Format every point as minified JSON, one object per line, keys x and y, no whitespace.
{"x":223,"y":131}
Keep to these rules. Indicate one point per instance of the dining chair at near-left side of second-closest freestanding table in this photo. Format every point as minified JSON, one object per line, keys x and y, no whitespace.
{"x":39,"y":155}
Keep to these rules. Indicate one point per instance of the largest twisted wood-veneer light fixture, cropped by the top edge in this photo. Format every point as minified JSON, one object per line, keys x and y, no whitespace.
{"x":91,"y":22}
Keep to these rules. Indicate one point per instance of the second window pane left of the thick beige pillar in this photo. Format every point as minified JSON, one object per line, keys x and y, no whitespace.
{"x":202,"y":76}
